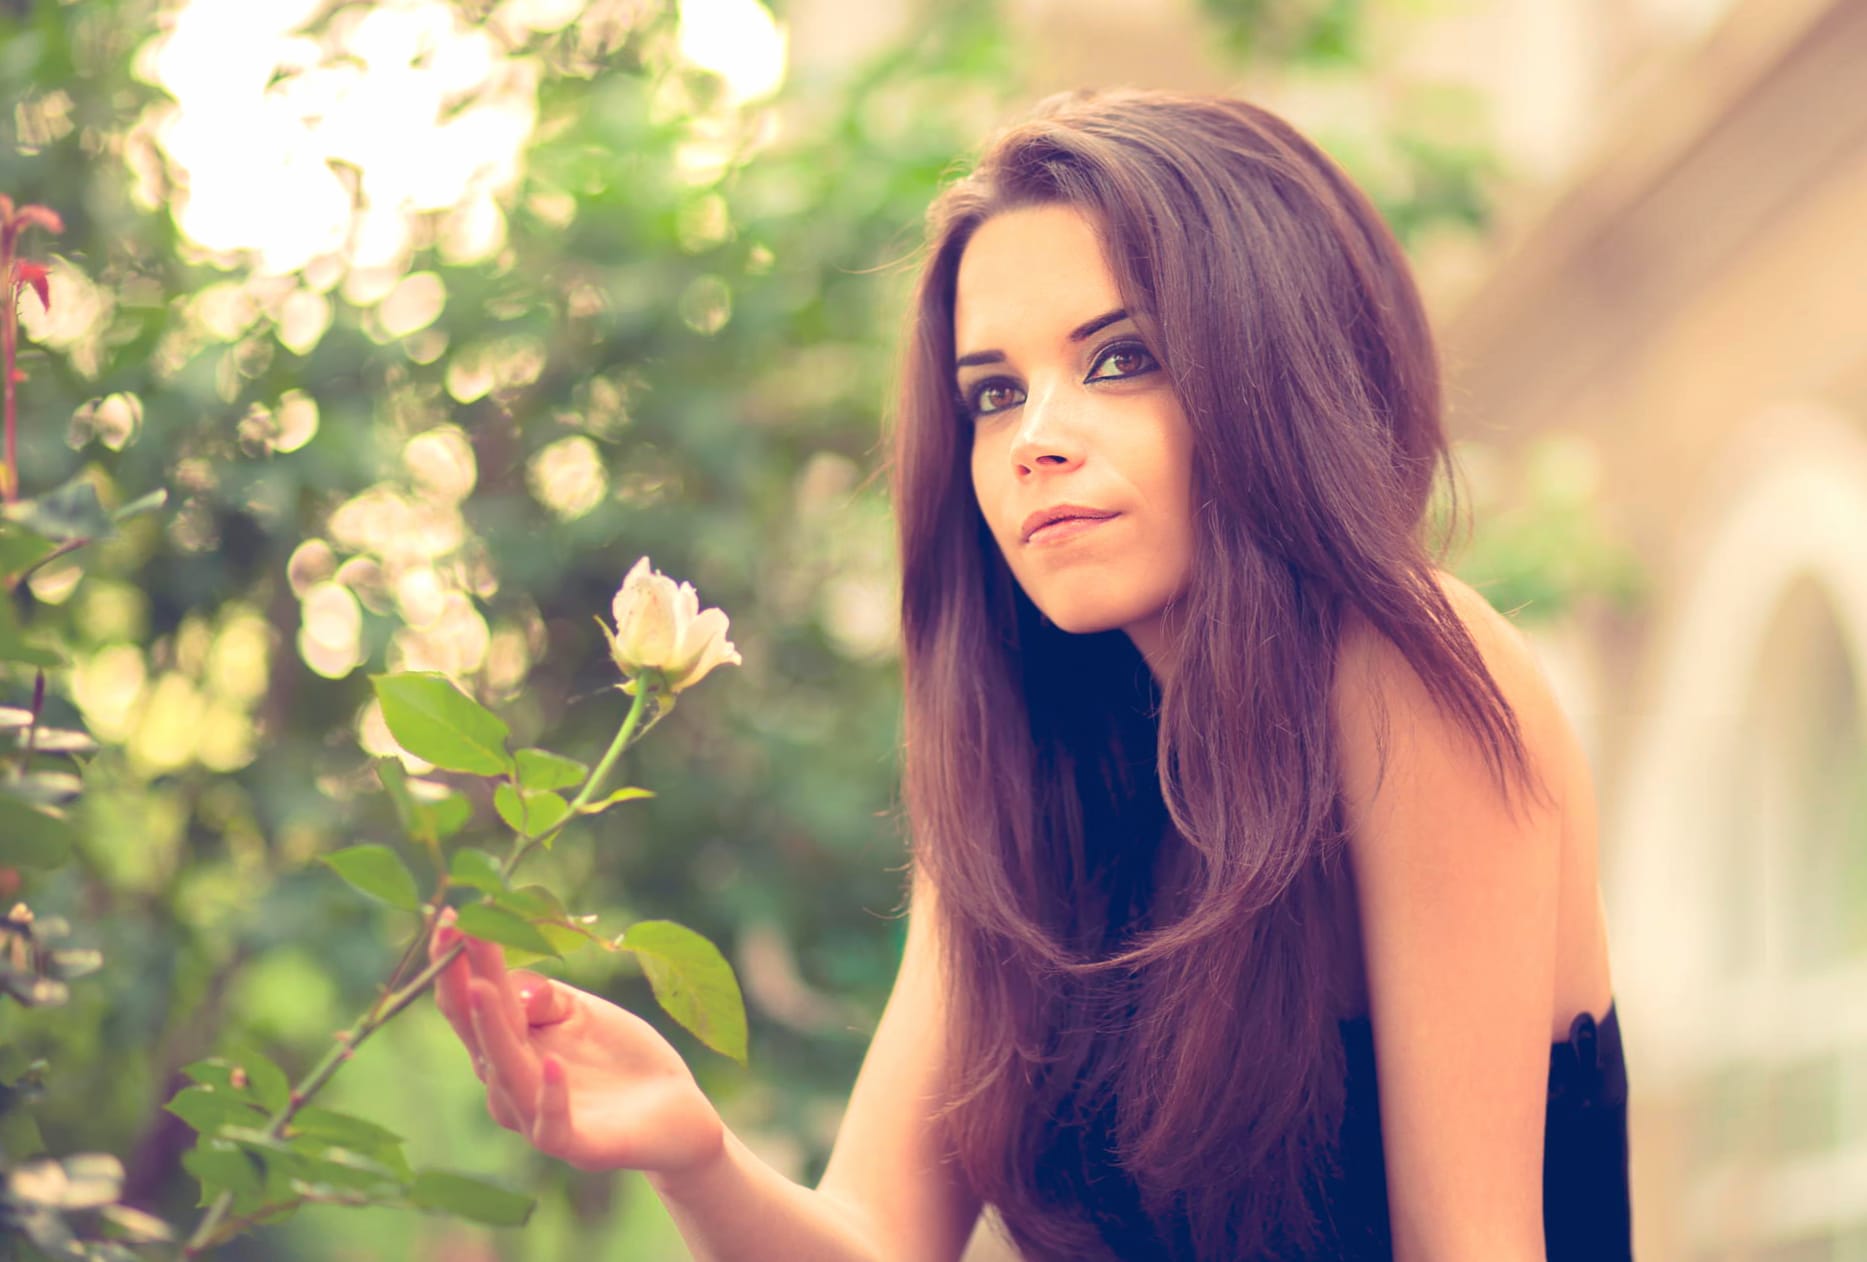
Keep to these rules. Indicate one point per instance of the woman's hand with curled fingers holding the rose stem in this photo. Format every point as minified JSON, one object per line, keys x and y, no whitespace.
{"x":583,"y":1080}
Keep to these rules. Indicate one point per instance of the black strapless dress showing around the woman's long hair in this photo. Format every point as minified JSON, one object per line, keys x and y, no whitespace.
{"x":1586,"y":1209}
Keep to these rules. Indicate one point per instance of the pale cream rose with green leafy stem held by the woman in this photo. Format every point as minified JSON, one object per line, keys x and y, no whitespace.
{"x":262,"y":1151}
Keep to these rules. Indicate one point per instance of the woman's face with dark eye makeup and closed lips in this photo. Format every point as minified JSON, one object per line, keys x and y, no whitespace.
{"x":1071,"y":410}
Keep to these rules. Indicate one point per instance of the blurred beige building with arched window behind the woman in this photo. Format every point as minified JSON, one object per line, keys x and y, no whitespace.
{"x":1679,"y":290}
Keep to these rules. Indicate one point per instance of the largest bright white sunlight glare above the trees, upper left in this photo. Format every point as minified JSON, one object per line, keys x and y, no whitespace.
{"x":292,"y":148}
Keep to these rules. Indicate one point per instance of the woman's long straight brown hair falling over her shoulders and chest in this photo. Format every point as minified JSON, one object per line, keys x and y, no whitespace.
{"x":1142,"y":886}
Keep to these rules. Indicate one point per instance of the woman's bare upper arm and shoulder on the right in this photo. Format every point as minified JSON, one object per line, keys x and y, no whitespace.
{"x":1459,"y":914}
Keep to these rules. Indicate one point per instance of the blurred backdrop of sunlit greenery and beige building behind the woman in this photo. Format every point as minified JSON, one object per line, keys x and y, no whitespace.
{"x":432,"y":316}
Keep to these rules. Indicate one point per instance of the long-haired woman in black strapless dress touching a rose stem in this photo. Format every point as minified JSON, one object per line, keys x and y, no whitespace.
{"x":1256,"y":897}
